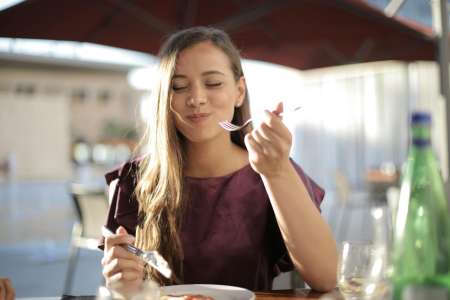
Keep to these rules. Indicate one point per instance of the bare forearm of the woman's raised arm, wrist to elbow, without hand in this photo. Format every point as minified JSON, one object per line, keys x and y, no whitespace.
{"x":307,"y":236}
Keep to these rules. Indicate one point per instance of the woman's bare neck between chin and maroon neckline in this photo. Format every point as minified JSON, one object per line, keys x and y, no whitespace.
{"x":214,"y":158}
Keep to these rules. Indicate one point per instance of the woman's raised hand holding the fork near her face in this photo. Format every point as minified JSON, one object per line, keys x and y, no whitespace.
{"x":269,"y":144}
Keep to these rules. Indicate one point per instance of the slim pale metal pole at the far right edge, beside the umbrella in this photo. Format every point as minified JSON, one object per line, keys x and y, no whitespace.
{"x":440,"y":26}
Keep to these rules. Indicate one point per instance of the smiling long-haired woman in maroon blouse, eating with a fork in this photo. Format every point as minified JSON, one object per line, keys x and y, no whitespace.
{"x":221,"y":207}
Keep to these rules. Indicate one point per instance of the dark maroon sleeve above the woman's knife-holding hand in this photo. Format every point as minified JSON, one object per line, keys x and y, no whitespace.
{"x":123,"y":209}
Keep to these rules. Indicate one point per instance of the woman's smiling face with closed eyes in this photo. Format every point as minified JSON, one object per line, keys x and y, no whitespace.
{"x":204,"y":92}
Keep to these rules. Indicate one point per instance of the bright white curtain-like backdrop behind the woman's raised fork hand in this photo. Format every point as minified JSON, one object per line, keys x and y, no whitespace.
{"x":352,"y":119}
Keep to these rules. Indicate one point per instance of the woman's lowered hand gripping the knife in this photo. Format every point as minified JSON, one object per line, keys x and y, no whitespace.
{"x":122,"y":270}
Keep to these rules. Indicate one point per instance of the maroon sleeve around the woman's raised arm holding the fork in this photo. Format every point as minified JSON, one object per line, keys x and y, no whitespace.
{"x":278,"y":254}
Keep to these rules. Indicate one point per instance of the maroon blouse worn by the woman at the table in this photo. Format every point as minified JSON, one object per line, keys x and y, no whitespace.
{"x":229,"y":234}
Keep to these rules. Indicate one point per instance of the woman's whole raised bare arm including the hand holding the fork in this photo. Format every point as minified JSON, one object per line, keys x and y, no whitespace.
{"x":307,"y":236}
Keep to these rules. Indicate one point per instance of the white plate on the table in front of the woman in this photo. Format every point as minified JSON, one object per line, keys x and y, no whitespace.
{"x":218,"y":292}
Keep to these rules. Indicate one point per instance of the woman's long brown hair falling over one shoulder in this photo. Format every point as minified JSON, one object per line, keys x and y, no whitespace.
{"x":160,"y":190}
